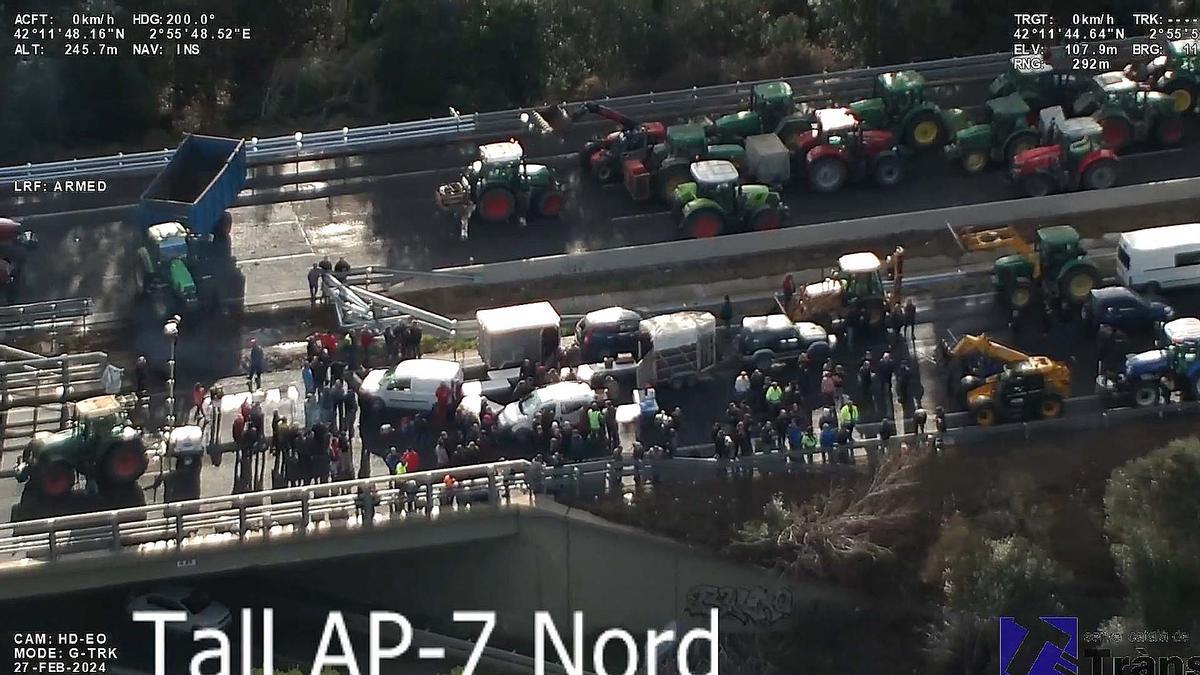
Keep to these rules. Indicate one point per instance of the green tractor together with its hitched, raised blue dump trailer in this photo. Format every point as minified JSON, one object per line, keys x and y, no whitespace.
{"x":185,"y":262}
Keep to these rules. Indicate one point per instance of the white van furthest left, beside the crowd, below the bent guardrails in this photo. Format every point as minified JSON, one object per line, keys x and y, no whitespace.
{"x":412,"y":385}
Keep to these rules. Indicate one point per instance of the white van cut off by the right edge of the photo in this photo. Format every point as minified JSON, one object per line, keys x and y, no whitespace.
{"x":1160,"y":258}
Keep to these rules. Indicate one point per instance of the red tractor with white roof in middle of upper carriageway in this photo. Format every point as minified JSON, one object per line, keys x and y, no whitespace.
{"x":838,"y":150}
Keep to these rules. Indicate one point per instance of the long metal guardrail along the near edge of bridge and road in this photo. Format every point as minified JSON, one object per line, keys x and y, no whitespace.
{"x":365,"y":503}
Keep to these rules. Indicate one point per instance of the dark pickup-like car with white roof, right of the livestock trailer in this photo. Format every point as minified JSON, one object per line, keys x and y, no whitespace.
{"x":772,"y":341}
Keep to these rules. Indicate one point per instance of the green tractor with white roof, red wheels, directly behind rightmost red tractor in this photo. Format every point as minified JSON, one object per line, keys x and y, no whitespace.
{"x":1130,"y":114}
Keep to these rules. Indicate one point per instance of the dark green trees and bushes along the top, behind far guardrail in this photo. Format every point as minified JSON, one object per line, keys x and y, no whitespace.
{"x":322,"y":64}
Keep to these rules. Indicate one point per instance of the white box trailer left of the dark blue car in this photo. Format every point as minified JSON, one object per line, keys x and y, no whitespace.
{"x":509,"y":336}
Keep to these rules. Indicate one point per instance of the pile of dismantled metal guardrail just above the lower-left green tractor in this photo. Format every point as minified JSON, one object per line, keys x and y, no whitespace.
{"x":29,"y":383}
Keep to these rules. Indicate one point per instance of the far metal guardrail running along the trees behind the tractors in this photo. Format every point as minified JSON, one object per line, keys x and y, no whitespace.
{"x":299,"y":147}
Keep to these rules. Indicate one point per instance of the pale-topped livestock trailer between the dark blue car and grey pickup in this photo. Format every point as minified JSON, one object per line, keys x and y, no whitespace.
{"x":683,"y":345}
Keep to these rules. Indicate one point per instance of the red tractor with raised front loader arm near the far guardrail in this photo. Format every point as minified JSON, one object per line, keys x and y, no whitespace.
{"x":603,"y":157}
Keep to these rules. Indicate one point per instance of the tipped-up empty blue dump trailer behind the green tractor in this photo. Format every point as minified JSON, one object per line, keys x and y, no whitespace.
{"x":197,"y":186}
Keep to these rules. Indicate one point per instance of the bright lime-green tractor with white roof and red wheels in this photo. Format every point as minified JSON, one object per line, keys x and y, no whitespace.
{"x":715,"y":202}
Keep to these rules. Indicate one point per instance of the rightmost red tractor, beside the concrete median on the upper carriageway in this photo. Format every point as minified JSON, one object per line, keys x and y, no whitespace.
{"x":1076,"y":158}
